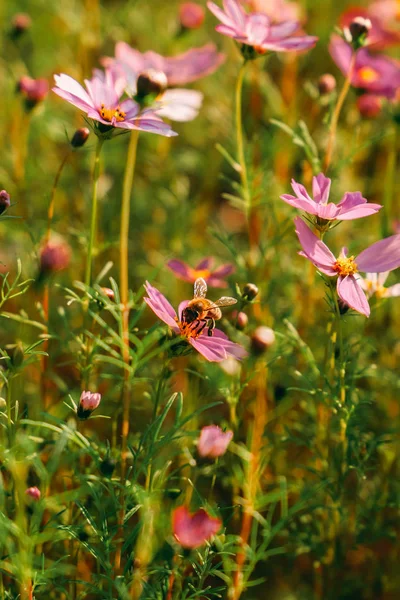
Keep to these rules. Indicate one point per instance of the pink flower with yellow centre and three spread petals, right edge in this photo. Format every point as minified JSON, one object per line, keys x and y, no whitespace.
{"x":381,"y":256}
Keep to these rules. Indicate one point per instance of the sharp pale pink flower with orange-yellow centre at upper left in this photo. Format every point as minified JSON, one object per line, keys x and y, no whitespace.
{"x":102,"y":102}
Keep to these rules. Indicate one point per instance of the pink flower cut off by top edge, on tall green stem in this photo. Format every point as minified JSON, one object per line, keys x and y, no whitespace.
{"x":255,"y":29}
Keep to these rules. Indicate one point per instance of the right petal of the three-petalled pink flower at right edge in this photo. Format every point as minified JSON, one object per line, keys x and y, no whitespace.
{"x":381,"y":256}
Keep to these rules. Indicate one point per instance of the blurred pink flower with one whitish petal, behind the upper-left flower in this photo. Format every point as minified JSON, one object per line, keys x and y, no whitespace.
{"x":176,"y":104}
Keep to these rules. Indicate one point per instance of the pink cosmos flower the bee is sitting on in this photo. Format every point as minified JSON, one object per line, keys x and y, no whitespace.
{"x":214,"y":348}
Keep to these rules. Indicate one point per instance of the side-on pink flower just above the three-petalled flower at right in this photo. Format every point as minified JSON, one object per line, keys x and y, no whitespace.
{"x":352,"y":205}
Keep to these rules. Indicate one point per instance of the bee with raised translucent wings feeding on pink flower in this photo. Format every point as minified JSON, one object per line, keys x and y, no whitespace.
{"x":202,"y":312}
